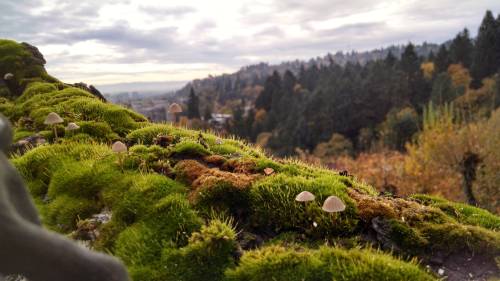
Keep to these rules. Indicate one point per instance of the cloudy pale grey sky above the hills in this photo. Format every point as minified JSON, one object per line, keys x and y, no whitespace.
{"x":117,"y":41}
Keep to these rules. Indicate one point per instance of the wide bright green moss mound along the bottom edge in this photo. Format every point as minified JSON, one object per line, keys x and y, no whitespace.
{"x":281,"y":264}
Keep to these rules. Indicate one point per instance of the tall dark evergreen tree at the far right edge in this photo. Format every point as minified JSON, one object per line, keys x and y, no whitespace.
{"x":486,"y":57}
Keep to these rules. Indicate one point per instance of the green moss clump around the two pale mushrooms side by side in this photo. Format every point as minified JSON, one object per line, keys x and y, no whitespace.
{"x":274,"y":206}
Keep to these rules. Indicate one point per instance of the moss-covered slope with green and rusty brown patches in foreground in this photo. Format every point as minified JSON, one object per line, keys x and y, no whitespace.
{"x":194,"y":206}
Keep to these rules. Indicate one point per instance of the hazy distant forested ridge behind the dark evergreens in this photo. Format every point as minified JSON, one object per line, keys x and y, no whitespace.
{"x":231,"y":86}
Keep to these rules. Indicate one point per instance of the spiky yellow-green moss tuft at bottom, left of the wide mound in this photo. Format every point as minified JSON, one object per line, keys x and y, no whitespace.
{"x":209,"y":253}
